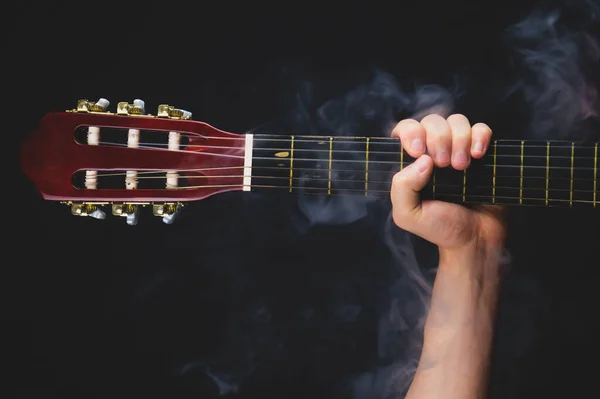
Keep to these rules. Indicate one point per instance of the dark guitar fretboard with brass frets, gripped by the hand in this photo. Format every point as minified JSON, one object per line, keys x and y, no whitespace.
{"x":542,"y":173}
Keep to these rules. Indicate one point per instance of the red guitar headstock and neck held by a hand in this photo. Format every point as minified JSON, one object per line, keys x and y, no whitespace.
{"x":93,"y":160}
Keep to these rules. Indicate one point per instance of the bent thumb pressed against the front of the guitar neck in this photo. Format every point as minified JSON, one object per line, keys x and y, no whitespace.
{"x":406,"y":185}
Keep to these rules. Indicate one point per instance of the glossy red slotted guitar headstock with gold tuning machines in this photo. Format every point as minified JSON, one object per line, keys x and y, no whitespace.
{"x":90,"y":158}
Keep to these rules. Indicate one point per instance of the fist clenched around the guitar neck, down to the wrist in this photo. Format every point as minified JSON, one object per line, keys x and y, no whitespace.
{"x":443,"y":142}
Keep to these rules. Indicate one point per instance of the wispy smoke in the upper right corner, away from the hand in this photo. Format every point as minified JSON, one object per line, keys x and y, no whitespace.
{"x":554,"y":62}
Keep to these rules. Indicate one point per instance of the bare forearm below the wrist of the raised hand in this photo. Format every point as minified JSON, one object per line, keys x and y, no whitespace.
{"x":459,"y":329}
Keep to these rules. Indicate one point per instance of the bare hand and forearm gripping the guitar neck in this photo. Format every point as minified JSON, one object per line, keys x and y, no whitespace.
{"x":459,"y":329}
